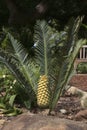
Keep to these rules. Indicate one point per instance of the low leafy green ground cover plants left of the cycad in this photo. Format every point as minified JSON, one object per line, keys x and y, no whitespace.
{"x":8,"y":92}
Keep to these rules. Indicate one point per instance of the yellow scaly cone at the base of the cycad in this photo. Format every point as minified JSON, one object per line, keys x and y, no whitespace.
{"x":43,"y":92}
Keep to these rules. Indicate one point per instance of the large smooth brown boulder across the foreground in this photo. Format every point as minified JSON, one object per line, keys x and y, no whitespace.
{"x":40,"y":122}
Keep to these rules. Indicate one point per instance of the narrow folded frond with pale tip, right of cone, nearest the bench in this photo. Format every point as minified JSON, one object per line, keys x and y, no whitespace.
{"x":65,"y":72}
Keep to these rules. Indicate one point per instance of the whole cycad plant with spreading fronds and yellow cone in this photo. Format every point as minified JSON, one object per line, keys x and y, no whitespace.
{"x":46,"y":74}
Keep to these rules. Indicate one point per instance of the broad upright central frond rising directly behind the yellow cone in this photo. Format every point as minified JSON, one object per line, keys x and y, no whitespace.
{"x":43,"y":52}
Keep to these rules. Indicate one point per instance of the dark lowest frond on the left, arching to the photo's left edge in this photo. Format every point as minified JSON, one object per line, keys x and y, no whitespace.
{"x":10,"y":62}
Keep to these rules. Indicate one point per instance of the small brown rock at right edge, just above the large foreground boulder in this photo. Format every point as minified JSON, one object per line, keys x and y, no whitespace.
{"x":82,"y":115}
